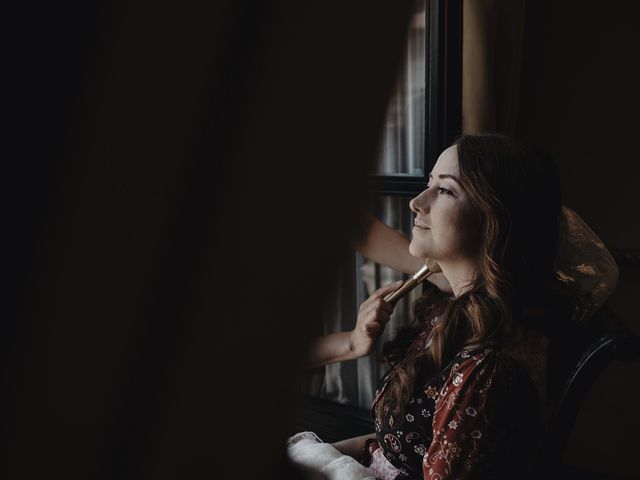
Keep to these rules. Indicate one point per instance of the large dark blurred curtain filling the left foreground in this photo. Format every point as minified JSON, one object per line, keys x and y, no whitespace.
{"x":183,"y":180}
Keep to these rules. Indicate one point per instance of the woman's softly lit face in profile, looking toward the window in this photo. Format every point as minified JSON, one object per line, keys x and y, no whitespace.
{"x":446,"y":227}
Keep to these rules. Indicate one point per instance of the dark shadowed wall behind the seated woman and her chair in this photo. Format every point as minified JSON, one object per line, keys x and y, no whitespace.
{"x":580,"y":99}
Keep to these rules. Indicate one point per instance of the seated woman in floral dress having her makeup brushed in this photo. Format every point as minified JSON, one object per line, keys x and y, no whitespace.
{"x":464,"y":398}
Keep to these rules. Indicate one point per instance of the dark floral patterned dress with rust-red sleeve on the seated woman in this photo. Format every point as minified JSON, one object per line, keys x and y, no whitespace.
{"x":479,"y":418}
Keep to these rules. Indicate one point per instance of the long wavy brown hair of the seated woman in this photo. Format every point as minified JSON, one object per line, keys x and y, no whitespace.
{"x":514,"y":187}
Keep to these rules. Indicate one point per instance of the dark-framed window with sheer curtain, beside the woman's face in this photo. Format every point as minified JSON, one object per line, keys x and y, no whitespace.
{"x":423,"y":117}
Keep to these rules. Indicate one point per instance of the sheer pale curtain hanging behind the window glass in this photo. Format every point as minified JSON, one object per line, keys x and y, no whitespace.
{"x":402,"y":153}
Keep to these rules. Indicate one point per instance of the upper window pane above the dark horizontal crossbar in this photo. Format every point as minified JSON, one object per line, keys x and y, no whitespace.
{"x":403,"y":142}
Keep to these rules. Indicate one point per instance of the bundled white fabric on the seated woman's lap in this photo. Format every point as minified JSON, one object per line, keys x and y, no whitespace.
{"x":307,"y":449}
